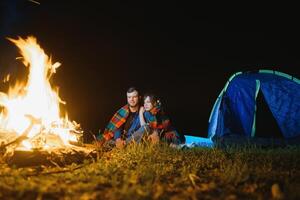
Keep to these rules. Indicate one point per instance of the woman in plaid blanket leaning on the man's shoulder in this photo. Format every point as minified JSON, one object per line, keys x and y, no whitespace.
{"x":160,"y":127}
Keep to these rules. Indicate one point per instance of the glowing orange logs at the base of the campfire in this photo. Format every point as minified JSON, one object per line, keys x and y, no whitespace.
{"x":59,"y":155}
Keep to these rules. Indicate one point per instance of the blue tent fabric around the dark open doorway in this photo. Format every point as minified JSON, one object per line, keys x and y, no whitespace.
{"x":234,"y":112}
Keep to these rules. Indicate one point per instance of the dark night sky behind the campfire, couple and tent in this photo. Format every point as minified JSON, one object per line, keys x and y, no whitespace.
{"x":183,"y":52}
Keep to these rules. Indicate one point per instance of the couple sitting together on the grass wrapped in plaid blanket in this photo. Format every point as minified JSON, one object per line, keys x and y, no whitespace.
{"x":134,"y":122}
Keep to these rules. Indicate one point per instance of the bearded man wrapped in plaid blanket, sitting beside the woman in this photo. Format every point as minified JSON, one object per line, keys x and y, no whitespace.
{"x":125,"y":125}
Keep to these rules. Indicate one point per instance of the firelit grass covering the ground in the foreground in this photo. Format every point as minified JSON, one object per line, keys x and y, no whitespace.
{"x":161,"y":172}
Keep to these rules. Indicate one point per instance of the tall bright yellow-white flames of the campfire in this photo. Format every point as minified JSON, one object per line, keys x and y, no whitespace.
{"x":30,"y":115}
